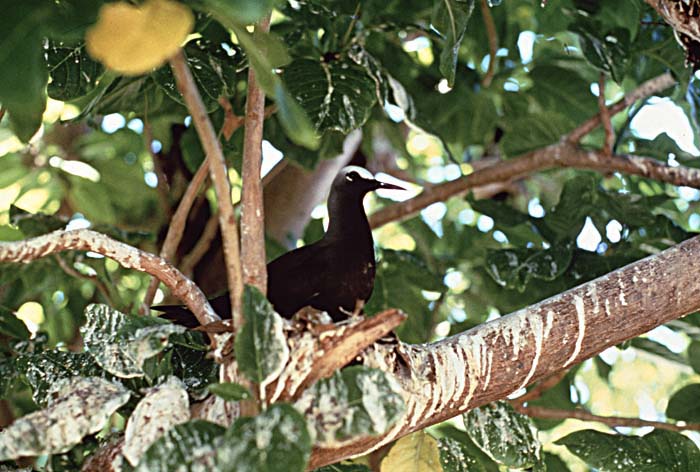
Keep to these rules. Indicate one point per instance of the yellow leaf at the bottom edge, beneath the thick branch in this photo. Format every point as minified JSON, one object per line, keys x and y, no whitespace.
{"x":417,"y":452}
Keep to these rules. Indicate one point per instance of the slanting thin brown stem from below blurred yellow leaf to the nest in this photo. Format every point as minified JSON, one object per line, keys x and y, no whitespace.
{"x":219,"y":175}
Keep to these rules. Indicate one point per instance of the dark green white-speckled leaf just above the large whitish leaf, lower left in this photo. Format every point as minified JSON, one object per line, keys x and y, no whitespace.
{"x":45,"y":369}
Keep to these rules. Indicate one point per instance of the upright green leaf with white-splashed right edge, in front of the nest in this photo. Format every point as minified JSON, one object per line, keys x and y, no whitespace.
{"x":261,"y":347}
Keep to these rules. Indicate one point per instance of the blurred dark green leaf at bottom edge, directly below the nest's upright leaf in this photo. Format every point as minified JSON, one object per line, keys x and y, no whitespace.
{"x":278,"y":436}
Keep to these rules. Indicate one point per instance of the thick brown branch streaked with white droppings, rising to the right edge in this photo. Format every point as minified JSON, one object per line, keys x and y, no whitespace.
{"x":495,"y":359}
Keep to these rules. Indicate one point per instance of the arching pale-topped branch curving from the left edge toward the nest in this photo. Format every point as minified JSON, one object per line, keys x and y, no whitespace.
{"x":127,"y":256}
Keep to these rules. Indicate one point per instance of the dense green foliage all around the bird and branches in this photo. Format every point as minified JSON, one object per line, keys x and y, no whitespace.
{"x":82,"y":145}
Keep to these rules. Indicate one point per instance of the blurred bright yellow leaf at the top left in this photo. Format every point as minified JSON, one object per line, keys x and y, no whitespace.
{"x":133,"y":40}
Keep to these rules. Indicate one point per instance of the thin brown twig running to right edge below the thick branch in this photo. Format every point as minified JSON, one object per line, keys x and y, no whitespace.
{"x":580,"y":414}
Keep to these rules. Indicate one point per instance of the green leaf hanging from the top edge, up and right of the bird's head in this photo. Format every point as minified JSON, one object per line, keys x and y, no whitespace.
{"x":450,"y":18}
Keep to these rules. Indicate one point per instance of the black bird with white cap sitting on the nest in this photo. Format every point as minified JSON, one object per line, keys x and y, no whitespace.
{"x":333,"y":274}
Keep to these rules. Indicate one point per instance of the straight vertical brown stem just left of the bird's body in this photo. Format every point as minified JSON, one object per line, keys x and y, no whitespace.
{"x":252,"y":214}
